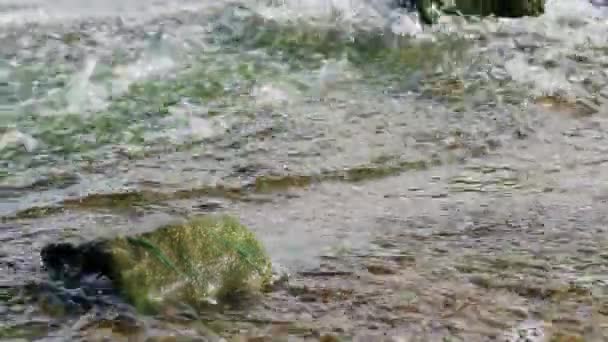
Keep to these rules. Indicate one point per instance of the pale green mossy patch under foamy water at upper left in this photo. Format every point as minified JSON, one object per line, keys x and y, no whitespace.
{"x":133,"y":119}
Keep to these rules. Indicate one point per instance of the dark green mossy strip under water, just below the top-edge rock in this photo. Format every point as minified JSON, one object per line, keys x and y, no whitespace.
{"x":305,"y":45}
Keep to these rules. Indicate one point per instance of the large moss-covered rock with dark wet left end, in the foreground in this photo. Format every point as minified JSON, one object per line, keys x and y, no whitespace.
{"x":206,"y":258}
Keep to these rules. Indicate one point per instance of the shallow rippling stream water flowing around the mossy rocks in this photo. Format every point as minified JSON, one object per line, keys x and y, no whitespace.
{"x":437,"y":183}
